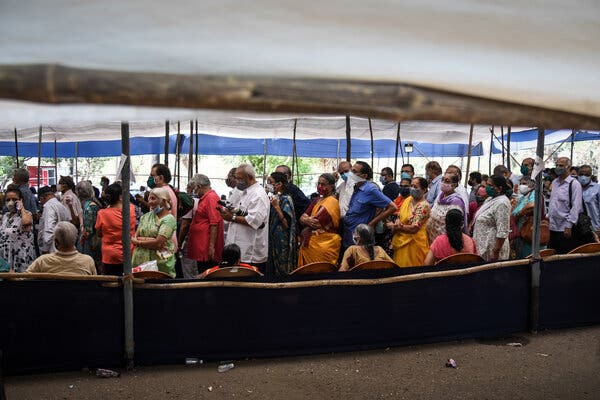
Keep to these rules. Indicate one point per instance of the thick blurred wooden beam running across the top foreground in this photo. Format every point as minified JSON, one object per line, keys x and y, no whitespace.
{"x":57,"y":84}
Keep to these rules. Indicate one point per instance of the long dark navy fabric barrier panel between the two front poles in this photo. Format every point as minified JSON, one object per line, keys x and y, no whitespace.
{"x":236,"y":322}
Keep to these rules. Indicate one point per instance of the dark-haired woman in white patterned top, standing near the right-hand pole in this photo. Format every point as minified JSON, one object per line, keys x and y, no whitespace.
{"x":491,"y":225}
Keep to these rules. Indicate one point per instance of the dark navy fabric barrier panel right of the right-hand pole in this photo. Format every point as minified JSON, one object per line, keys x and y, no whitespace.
{"x":570,"y":292}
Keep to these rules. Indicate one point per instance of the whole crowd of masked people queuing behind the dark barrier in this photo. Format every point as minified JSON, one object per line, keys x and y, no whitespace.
{"x":275,"y":228}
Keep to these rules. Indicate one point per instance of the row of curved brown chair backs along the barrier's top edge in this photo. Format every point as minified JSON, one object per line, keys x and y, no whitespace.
{"x":326,"y":267}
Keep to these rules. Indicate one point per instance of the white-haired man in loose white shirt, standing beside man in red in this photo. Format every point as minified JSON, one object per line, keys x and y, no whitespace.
{"x":250,"y":231}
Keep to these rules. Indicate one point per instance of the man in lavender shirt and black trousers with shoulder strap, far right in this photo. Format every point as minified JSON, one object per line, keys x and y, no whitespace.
{"x":564,"y":208}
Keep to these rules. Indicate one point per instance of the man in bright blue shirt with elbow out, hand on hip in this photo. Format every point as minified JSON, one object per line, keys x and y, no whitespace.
{"x":365,"y":201}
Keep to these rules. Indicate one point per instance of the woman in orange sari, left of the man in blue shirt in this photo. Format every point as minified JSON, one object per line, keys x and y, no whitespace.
{"x":321,"y":220}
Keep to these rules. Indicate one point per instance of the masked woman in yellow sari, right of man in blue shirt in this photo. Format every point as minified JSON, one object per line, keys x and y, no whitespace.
{"x":410,"y":242}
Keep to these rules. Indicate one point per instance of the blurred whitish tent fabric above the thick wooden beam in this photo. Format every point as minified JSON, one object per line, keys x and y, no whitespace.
{"x":537,"y":53}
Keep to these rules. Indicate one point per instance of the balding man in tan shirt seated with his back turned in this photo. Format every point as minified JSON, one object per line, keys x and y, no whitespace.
{"x":66,"y":260}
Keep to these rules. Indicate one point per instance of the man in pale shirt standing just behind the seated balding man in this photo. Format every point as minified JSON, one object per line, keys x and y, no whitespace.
{"x":53,"y":212}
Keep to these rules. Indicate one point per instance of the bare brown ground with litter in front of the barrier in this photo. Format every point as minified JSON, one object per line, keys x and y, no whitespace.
{"x":550,"y":365}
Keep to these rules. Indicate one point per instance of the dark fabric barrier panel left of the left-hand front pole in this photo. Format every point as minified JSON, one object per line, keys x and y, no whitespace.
{"x":53,"y":325}
